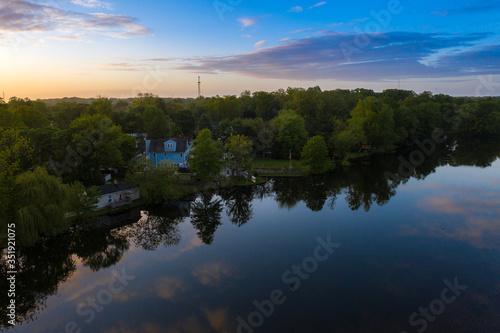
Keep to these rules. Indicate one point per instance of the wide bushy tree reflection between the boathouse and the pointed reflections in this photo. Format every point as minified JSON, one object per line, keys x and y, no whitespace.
{"x":152,"y":230}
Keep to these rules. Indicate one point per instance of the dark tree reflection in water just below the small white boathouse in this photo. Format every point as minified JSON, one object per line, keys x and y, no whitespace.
{"x":105,"y":249}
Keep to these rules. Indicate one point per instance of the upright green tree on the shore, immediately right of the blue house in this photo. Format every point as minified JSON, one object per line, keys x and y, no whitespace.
{"x":205,"y":158}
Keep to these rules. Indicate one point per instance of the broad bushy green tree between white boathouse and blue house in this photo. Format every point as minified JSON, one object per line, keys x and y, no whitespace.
{"x":157,"y":184}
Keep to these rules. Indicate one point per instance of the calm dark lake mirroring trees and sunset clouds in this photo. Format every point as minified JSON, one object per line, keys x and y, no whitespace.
{"x":351,"y":252}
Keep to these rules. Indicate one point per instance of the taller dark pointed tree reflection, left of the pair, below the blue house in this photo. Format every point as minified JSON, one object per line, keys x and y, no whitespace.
{"x":206,"y":216}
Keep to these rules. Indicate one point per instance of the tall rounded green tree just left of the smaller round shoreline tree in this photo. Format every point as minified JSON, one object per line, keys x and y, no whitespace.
{"x":292,"y":134}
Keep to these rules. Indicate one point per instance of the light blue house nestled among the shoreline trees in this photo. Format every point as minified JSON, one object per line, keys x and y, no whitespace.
{"x":174,"y":150}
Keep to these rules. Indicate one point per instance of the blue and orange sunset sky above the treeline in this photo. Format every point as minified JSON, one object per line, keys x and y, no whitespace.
{"x":90,"y":48}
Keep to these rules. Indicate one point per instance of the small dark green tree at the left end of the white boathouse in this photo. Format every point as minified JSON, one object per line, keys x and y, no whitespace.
{"x":82,"y":201}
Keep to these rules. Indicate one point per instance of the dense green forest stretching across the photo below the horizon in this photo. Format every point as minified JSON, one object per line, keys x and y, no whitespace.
{"x":50,"y":151}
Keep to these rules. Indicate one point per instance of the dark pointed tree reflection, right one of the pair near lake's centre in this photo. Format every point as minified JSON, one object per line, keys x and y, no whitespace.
{"x":238,"y":204}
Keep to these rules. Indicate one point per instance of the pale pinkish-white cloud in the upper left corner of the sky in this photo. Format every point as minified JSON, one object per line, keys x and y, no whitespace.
{"x":28,"y":17}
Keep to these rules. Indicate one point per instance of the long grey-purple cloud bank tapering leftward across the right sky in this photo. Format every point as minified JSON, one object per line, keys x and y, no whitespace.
{"x":342,"y":56}
